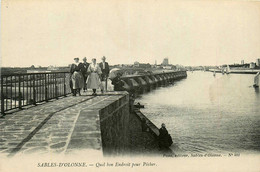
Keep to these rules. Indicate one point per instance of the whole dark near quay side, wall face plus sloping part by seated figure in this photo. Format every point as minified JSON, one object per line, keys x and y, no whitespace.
{"x":125,"y":131}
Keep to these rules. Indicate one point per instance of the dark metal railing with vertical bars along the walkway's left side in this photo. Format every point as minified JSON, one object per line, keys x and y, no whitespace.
{"x":19,"y":90}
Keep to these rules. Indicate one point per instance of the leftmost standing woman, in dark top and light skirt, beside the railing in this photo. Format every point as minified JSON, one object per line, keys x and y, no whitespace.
{"x":76,"y":77}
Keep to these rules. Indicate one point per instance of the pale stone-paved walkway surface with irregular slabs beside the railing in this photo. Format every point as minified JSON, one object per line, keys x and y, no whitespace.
{"x":60,"y":126}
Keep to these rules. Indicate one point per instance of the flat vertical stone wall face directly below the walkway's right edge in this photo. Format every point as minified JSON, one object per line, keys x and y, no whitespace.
{"x":114,"y":126}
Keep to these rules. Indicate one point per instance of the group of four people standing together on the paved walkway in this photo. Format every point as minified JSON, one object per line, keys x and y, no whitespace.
{"x":86,"y":75}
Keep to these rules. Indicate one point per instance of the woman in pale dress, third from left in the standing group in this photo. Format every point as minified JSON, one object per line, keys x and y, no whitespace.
{"x":93,"y":80}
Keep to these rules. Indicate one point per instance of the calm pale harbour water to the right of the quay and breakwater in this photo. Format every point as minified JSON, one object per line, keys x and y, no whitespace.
{"x":208,"y":114}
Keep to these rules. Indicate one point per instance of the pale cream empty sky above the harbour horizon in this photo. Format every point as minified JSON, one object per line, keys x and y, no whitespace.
{"x":53,"y":32}
